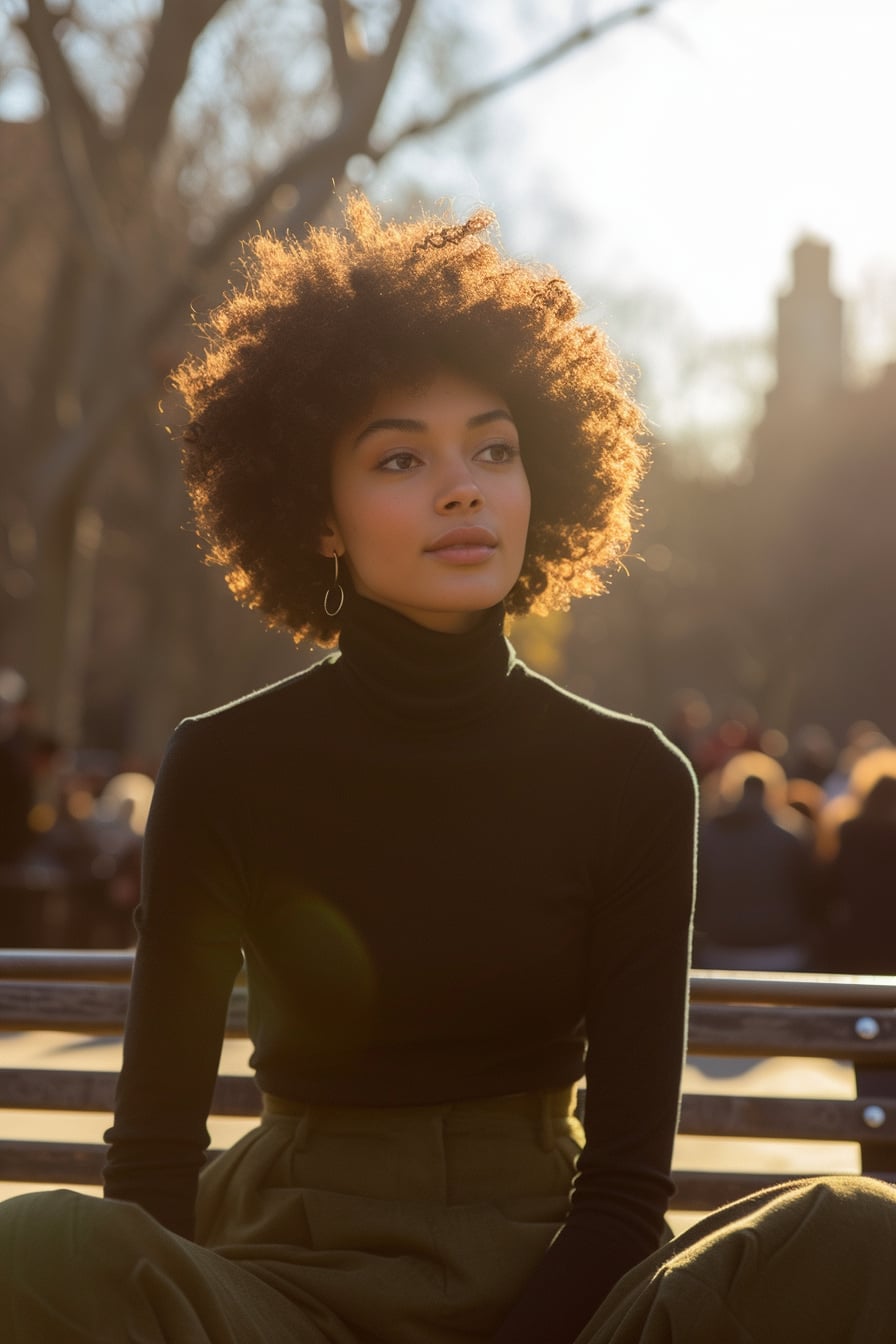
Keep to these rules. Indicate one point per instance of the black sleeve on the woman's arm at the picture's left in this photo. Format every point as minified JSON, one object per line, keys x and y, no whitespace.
{"x":187,"y":956}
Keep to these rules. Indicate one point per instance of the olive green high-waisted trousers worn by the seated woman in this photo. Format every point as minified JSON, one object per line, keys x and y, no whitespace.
{"x":420,"y":1225}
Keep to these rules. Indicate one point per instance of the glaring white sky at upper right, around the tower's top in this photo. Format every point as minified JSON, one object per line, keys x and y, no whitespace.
{"x":692,"y":151}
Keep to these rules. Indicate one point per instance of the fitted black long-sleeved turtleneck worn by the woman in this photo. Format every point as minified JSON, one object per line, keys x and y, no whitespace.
{"x":447,"y":876}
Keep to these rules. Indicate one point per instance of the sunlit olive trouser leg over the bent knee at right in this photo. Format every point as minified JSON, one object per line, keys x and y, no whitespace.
{"x":808,"y":1261}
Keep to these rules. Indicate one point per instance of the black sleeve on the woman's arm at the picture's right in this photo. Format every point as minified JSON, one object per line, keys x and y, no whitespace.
{"x":636,"y":1026}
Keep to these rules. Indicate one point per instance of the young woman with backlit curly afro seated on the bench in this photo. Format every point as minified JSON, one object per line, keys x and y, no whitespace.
{"x":445,"y":876}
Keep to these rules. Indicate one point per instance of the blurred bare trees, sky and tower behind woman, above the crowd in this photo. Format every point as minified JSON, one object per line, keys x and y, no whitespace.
{"x":711,"y":175}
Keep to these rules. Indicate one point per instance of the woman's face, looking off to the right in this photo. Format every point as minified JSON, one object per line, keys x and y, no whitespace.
{"x":431,"y":502}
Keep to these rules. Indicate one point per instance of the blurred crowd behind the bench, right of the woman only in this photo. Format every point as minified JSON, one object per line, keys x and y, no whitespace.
{"x":797,"y":847}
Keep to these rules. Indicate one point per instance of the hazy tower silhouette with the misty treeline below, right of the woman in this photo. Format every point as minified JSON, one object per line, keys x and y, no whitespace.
{"x":776,"y":588}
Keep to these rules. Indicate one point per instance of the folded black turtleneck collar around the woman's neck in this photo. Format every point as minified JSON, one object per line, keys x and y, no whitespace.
{"x":406,"y":671}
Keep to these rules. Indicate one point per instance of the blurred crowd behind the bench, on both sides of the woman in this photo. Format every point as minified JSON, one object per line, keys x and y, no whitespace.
{"x":797,"y":849}
